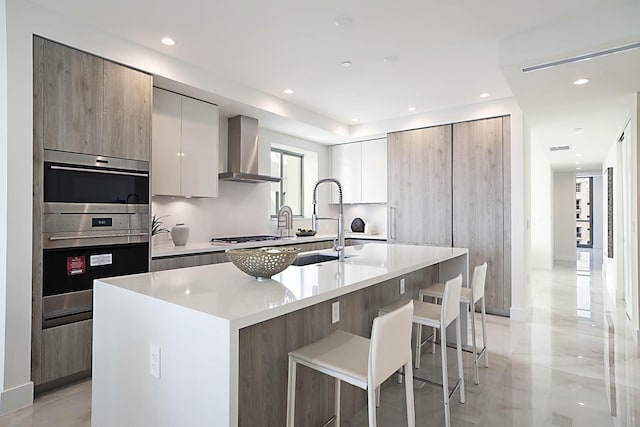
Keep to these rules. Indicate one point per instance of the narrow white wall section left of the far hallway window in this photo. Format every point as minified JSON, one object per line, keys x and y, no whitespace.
{"x":564,"y":216}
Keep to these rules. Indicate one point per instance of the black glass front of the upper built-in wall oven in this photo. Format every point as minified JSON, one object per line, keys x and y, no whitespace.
{"x":63,"y":184}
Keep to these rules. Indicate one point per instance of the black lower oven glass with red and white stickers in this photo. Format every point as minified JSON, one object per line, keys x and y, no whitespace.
{"x":73,"y":269}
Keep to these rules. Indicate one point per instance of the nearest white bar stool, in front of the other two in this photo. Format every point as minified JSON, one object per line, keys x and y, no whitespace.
{"x":362,"y":362}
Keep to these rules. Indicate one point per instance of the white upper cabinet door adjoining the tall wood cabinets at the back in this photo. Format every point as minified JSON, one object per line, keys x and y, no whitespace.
{"x":374,"y":171}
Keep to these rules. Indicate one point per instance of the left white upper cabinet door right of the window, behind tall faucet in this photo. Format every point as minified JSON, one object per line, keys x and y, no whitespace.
{"x":346,"y":167}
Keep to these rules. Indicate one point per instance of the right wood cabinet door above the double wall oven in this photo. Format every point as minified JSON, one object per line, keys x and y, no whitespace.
{"x":126,"y":129}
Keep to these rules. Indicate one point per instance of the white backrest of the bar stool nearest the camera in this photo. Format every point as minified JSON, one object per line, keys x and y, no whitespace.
{"x":390,"y":346}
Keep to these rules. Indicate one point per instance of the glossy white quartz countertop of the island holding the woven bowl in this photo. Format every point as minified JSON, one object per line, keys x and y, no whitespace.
{"x":223,"y":291}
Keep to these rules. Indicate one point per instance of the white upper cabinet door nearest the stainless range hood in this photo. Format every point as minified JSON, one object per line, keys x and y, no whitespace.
{"x":199,"y":148}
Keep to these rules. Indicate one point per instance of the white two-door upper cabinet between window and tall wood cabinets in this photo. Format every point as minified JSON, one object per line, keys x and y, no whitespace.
{"x":361,"y":168}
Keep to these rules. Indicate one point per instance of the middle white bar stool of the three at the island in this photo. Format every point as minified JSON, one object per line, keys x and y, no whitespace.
{"x":439,"y":317}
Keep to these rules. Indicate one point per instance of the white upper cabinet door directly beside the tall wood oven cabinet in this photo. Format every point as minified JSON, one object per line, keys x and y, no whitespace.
{"x":166,"y":135}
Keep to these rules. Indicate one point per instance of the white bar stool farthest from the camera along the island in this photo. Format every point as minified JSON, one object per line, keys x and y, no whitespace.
{"x":469,"y":296}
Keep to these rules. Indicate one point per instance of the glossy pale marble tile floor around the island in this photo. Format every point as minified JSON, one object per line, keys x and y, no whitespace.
{"x":574,"y":363}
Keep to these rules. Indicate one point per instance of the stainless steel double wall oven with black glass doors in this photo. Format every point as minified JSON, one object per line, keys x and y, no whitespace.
{"x":95,"y":225}
